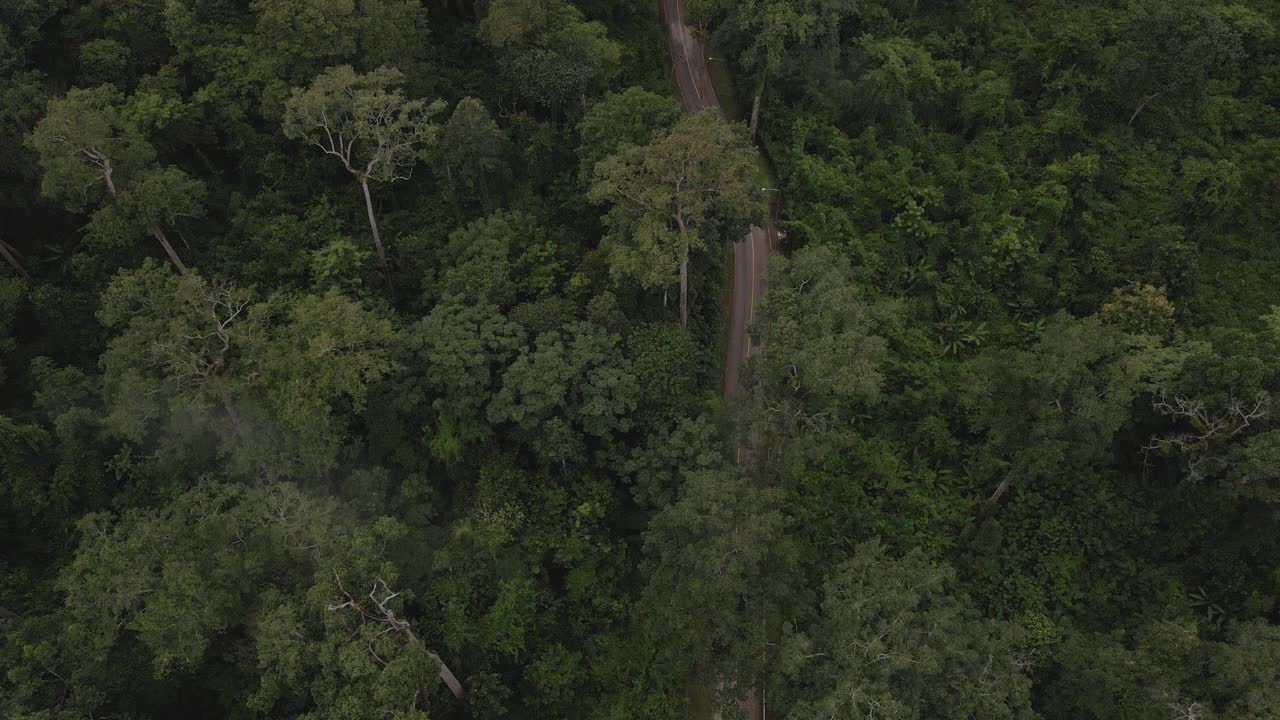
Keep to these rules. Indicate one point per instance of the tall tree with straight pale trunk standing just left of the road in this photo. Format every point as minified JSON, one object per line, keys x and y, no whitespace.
{"x":675,"y":198}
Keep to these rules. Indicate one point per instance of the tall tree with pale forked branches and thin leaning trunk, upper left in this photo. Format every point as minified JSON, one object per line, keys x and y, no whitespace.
{"x":368,"y":125}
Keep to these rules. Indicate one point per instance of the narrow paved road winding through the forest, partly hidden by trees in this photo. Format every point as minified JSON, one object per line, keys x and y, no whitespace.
{"x":751,"y":254}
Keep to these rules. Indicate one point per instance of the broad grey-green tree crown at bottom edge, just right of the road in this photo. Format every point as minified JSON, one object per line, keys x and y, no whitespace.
{"x":895,"y":640}
